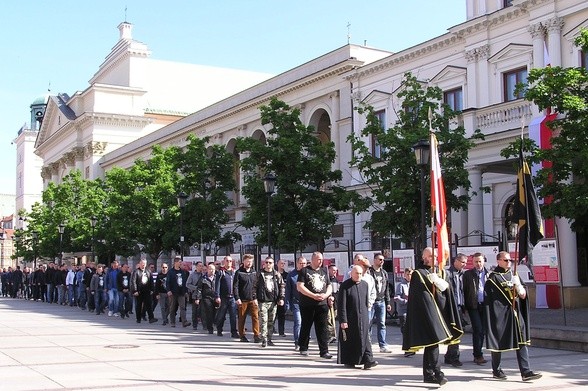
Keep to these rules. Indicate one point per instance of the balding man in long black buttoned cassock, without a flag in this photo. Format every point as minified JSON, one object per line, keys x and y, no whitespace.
{"x":355,"y":347}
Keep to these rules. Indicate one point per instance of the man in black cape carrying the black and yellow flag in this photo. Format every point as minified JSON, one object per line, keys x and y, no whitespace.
{"x":507,"y":318}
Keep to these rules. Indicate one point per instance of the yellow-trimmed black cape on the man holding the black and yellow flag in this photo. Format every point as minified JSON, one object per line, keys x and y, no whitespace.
{"x":507,"y":326}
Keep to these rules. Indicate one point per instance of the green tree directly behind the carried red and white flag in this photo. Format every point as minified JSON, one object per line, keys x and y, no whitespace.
{"x":394,"y":177}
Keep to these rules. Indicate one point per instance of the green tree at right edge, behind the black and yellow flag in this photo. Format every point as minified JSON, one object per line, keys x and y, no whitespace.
{"x":564,"y":91}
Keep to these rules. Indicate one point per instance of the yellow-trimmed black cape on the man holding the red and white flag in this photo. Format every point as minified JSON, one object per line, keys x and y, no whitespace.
{"x":432,"y":316}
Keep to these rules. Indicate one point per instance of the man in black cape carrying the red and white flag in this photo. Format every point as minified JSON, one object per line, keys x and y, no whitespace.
{"x":432,"y":316}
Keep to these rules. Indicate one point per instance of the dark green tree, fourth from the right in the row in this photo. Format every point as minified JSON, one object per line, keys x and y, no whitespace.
{"x":207,"y":177}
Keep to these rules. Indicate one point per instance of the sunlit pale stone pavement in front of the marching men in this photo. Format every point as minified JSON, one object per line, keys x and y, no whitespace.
{"x":51,"y":347}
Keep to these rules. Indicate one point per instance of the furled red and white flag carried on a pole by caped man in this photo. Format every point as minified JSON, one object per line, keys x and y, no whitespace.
{"x":438,"y":205}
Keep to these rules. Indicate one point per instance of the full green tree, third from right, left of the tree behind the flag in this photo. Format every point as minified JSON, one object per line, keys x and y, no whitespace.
{"x":308,"y":195}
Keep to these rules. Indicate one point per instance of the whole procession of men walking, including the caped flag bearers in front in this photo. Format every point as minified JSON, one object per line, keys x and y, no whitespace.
{"x":432,"y":304}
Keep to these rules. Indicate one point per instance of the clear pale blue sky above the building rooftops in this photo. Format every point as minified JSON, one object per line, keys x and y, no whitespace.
{"x":60,"y":44}
